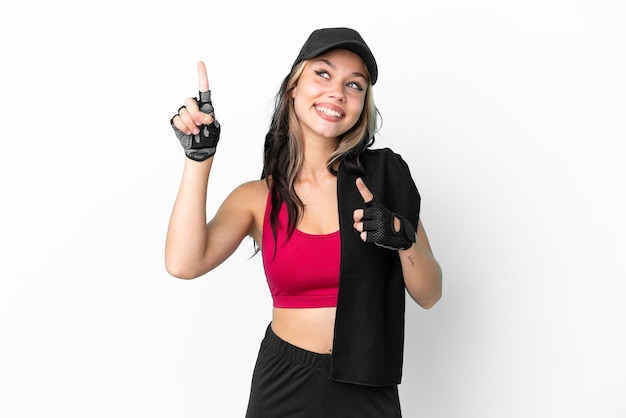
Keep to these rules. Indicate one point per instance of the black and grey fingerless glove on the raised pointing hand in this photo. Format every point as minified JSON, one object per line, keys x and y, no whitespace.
{"x":202,"y":146}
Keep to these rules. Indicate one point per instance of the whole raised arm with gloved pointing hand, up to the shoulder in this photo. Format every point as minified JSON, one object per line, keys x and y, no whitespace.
{"x":194,"y":247}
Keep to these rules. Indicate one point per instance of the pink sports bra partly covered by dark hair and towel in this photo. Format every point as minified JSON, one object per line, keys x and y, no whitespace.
{"x":304,"y":272}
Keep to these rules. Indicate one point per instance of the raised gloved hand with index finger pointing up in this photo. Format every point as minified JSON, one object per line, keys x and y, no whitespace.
{"x":195,"y":125}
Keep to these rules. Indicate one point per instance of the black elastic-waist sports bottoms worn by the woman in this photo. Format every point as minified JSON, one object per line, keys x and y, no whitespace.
{"x":289,"y":382}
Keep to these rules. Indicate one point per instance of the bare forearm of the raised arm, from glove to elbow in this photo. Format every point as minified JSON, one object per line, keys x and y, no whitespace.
{"x":186,"y":239}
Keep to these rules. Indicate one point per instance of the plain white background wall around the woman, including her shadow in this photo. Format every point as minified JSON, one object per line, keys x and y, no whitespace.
{"x":510,"y":114}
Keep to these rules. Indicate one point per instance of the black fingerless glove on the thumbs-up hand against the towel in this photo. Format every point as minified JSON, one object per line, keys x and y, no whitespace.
{"x":378,"y":221}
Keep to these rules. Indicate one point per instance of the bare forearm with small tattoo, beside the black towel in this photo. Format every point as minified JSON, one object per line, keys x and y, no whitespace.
{"x":422,"y":274}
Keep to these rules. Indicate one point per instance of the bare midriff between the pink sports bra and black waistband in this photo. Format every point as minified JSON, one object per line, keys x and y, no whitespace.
{"x":311,"y":329}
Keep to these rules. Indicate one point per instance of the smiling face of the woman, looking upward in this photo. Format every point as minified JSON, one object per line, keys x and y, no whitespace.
{"x":330,"y":93}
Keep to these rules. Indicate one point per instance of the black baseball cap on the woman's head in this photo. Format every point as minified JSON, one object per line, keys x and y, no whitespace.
{"x":322,"y":40}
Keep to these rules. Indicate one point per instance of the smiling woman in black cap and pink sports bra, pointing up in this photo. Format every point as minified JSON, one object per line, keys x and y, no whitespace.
{"x":338,"y":227}
